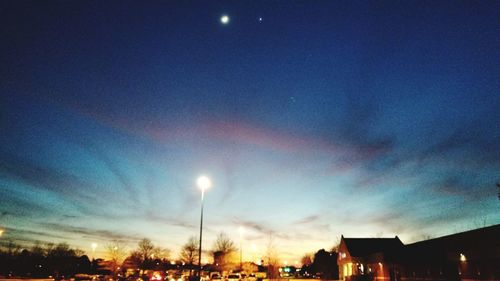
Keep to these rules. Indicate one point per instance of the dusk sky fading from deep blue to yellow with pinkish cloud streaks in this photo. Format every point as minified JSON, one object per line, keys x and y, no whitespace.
{"x":312,"y":118}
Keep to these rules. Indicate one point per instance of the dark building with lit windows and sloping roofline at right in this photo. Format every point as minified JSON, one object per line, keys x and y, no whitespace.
{"x":470,"y":255}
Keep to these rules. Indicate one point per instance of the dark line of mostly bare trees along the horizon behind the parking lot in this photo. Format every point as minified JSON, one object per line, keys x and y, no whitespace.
{"x":60,"y":260}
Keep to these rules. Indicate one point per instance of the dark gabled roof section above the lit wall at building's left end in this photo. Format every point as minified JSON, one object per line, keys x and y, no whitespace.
{"x":359,"y":247}
